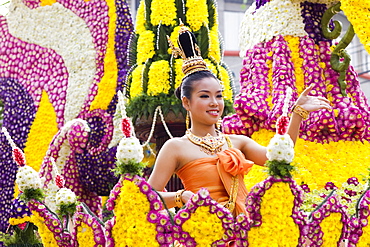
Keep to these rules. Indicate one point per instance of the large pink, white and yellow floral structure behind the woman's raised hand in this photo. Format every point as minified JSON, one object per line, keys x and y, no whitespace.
{"x":283,"y":45}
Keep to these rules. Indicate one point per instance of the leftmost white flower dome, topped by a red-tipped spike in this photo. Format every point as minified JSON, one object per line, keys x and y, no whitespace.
{"x":28,"y":178}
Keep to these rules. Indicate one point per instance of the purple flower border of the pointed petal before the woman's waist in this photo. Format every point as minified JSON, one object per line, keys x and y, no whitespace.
{"x":203,"y":199}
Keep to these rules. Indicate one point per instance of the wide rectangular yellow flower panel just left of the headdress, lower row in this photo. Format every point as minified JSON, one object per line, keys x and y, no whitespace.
{"x":159,"y":78}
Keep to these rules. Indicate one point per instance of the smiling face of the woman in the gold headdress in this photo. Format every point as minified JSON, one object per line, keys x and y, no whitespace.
{"x":206,"y":104}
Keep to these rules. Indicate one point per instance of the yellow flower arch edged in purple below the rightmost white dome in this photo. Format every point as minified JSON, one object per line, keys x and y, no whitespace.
{"x":265,"y":208}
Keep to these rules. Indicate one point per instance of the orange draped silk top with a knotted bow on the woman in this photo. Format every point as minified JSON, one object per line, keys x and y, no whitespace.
{"x":215,"y":174}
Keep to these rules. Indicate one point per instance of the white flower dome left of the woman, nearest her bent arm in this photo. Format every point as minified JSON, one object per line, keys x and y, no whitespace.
{"x":130,"y":149}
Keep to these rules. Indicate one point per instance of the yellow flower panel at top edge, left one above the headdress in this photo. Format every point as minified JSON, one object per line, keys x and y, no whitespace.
{"x":163,"y":12}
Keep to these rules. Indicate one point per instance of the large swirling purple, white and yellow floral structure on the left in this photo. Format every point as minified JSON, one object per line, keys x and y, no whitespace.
{"x":62,"y":64}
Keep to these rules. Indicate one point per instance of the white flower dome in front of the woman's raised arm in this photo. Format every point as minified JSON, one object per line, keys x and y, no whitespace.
{"x":281,"y":148}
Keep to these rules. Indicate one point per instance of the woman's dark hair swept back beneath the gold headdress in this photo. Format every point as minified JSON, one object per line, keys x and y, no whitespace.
{"x":186,"y":86}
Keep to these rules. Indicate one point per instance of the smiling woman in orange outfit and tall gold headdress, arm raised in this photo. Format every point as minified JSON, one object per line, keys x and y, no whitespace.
{"x":204,"y":157}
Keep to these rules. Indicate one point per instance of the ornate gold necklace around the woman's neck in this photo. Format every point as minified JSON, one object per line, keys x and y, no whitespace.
{"x":208,"y":144}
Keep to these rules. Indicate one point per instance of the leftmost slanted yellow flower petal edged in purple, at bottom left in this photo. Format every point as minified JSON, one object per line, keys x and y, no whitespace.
{"x":49,"y":226}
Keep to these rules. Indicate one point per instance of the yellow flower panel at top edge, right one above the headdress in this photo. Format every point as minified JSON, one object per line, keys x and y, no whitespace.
{"x":196,"y":14}
